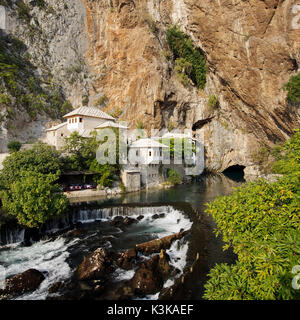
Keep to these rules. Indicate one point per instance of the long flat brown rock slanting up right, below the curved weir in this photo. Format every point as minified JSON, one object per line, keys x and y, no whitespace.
{"x":157,"y":245}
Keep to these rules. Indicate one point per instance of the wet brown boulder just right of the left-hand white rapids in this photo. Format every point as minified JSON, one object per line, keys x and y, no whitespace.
{"x":95,"y":266}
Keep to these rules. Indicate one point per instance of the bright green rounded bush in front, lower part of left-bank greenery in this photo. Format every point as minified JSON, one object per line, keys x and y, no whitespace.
{"x":34,"y":198}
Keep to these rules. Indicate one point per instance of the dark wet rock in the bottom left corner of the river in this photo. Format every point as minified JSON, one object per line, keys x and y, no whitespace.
{"x":21,"y":283}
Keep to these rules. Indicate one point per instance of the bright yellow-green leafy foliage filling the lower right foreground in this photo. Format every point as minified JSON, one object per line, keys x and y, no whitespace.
{"x":261,"y":222}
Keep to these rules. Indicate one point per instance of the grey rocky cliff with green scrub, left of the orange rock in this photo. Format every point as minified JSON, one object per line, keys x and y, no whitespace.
{"x":55,"y":41}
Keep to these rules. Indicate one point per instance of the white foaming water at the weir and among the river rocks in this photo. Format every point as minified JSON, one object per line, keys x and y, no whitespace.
{"x":50,"y":256}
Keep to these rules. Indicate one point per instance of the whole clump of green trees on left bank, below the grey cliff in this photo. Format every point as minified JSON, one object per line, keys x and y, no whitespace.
{"x":28,"y":185}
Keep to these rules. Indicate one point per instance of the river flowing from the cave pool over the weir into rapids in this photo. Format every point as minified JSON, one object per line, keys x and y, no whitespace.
{"x":182,"y":208}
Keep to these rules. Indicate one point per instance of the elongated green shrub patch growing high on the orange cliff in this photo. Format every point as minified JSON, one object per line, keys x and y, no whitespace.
{"x":189,"y":60}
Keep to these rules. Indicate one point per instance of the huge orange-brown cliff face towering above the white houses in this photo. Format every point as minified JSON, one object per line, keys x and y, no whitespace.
{"x":251,"y":47}
